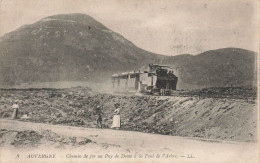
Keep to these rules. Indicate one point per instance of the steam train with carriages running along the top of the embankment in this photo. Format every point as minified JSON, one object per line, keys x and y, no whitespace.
{"x":157,"y":80}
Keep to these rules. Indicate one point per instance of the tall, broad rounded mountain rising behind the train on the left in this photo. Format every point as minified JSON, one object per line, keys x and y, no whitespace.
{"x":67,"y":47}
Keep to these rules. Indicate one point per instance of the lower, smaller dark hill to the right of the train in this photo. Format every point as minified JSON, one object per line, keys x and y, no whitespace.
{"x":228,"y":67}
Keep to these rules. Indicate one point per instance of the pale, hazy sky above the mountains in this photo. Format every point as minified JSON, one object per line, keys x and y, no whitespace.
{"x":169,"y":27}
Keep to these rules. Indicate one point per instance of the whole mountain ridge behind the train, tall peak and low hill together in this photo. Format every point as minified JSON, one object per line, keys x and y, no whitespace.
{"x":75,"y":47}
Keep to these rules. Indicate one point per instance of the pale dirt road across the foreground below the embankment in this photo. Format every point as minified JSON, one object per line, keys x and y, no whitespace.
{"x":109,"y":141}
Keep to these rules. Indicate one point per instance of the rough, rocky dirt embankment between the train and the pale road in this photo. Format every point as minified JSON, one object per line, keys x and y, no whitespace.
{"x":213,"y":118}
